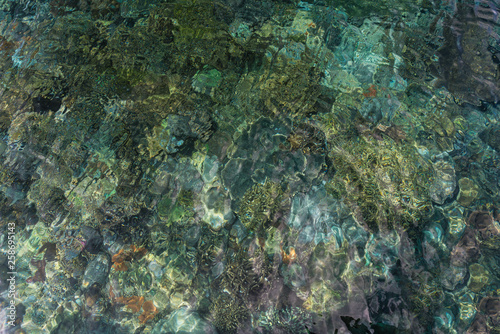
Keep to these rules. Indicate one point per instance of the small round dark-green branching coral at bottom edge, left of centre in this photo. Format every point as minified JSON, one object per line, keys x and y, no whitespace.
{"x":228,"y":313}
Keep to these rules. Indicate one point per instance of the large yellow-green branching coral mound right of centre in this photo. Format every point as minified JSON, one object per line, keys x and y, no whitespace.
{"x":383,"y":182}
